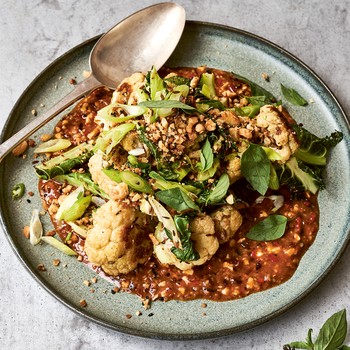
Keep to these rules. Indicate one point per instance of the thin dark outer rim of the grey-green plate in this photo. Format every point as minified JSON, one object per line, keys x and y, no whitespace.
{"x":152,"y":334}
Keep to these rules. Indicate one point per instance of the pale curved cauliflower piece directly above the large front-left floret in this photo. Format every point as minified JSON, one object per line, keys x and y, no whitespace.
{"x":117,"y":191}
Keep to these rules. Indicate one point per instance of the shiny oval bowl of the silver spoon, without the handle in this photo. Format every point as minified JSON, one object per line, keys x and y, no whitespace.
{"x":145,"y":39}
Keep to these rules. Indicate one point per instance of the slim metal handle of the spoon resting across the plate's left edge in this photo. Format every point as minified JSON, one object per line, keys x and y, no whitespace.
{"x":80,"y":90}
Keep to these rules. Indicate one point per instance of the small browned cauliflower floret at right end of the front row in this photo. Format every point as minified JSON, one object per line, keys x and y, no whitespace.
{"x":227,"y":220}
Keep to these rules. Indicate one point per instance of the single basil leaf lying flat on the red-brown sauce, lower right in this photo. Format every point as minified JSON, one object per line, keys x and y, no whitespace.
{"x":269,"y":229}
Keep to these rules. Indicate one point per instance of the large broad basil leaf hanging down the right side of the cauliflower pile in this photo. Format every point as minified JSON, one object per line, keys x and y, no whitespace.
{"x":255,"y":167}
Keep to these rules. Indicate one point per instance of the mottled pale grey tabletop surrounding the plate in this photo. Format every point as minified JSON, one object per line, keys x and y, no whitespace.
{"x":33,"y":33}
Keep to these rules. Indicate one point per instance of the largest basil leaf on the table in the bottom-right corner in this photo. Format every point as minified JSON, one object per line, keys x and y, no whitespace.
{"x":333,"y":332}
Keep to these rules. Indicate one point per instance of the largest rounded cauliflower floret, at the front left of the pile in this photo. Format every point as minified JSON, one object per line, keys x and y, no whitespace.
{"x":119,"y":240}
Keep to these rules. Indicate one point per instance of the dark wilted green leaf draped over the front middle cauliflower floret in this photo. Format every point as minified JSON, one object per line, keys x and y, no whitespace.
{"x":187,"y":253}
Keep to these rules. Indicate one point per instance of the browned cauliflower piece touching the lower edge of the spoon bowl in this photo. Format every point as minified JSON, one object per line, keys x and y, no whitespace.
{"x":127,"y":91}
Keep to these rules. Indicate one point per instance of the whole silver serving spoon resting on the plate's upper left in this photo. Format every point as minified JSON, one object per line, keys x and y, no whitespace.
{"x":146,"y":38}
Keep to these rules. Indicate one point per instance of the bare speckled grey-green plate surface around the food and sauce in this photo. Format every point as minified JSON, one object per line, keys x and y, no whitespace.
{"x":202,"y":44}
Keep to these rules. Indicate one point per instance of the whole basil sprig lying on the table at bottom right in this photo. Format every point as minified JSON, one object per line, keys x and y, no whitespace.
{"x":331,"y":336}
